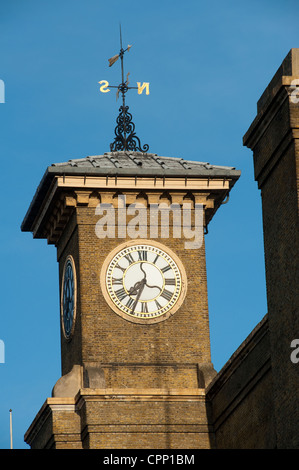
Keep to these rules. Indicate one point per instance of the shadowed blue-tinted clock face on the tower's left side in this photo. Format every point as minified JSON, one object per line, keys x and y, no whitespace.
{"x":68,"y":297}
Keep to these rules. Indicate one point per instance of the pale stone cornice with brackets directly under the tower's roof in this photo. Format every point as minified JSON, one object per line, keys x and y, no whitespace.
{"x":49,"y":217}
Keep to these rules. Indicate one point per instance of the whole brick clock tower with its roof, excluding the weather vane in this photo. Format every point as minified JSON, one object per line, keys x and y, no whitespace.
{"x":135,"y":347}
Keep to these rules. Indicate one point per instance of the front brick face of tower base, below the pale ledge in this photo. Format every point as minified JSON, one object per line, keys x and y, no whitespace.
{"x":158,"y":419}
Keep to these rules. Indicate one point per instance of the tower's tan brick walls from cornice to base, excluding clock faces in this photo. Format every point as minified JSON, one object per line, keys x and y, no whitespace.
{"x":134,"y":359}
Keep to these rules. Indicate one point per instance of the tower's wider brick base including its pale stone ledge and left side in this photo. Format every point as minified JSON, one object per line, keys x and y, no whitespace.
{"x":124,"y":418}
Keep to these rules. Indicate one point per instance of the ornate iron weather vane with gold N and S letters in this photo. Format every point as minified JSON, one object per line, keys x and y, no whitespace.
{"x":125,"y":137}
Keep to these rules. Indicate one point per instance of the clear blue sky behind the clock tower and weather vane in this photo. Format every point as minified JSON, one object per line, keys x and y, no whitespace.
{"x":207,"y":64}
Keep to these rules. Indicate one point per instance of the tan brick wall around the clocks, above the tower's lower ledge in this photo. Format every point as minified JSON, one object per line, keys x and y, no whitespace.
{"x":119,"y":342}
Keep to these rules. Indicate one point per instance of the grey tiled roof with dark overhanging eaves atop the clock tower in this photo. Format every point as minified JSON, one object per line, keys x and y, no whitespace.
{"x":125,"y":164}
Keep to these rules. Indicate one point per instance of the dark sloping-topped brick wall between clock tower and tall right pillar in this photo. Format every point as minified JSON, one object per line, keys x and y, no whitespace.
{"x":241,"y":396}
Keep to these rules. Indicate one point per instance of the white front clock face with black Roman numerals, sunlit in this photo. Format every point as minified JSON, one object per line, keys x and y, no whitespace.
{"x":144,"y":282}
